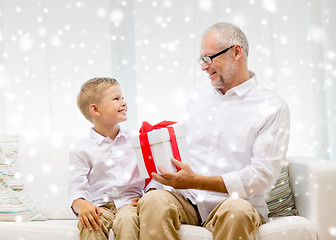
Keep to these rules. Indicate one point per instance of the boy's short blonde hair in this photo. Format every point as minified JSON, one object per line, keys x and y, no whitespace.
{"x":91,"y":93}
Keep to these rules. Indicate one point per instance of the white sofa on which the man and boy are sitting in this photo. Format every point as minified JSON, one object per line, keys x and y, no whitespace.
{"x":44,"y":167}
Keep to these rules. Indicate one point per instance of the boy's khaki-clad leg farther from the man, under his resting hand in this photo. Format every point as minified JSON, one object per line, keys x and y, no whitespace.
{"x":106,"y":219}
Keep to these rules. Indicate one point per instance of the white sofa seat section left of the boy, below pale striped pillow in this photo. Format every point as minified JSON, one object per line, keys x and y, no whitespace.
{"x":40,"y":230}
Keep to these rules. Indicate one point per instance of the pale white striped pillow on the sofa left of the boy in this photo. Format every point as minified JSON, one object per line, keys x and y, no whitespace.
{"x":15,"y":203}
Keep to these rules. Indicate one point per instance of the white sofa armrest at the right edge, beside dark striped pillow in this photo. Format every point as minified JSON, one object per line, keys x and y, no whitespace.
{"x":313,"y":182}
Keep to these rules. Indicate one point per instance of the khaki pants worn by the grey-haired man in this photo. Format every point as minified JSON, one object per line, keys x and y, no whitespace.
{"x":162,"y":212}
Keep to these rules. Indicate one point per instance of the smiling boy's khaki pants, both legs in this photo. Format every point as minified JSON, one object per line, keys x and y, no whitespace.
{"x":124,"y":223}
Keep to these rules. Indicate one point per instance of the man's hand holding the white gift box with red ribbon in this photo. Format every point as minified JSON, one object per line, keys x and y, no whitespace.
{"x":183,"y":179}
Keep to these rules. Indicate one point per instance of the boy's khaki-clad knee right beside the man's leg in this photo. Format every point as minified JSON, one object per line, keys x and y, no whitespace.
{"x":126,"y":224}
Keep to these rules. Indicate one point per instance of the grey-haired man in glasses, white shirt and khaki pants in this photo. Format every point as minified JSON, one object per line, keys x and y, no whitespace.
{"x":237,"y":134}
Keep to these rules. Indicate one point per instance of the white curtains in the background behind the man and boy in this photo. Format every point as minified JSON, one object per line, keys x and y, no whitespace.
{"x":49,"y":48}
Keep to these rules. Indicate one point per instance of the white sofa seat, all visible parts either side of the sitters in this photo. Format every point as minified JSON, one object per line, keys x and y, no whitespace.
{"x":289,"y":228}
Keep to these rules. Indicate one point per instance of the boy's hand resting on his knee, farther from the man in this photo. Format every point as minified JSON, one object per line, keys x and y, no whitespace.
{"x":88,"y":214}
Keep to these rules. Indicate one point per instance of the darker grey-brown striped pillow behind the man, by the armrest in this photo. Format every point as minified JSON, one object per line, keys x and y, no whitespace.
{"x":280,"y":199}
